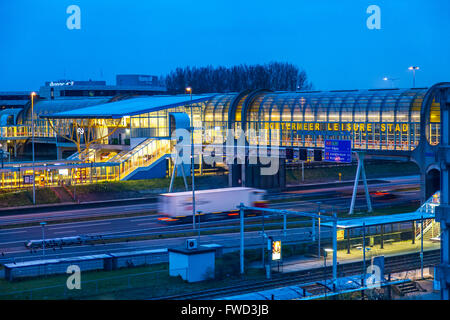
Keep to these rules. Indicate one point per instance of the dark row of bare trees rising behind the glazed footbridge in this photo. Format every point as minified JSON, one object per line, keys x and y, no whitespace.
{"x":275,"y":76}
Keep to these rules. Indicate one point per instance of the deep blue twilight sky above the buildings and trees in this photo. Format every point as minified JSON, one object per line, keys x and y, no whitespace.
{"x":329,"y":39}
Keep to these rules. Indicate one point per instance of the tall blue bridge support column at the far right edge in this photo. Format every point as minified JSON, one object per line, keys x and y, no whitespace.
{"x":443,"y":211}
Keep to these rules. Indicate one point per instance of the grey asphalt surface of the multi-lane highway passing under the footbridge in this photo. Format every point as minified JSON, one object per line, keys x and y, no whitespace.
{"x":12,"y":240}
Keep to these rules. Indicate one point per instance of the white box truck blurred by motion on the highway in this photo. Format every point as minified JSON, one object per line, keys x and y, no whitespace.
{"x":178,"y":205}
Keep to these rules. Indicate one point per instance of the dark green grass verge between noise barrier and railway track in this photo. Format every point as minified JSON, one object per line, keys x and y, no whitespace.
{"x":139,"y":282}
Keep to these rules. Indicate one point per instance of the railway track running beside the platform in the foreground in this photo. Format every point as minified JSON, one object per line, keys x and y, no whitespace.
{"x":393,"y":264}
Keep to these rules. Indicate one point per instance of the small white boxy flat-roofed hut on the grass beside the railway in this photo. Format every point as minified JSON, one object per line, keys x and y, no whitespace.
{"x":192,"y":264}
